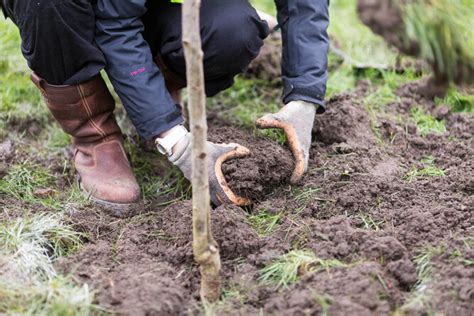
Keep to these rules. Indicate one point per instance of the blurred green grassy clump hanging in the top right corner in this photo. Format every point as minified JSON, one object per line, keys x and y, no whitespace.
{"x":444,"y":31}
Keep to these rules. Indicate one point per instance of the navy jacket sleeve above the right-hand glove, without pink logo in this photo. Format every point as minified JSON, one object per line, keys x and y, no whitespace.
{"x":305,"y":46}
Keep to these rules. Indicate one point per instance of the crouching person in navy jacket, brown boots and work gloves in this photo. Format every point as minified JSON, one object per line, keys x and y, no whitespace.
{"x":68,"y":42}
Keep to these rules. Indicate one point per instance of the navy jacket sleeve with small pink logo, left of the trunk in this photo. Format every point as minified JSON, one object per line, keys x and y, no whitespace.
{"x":131,"y":68}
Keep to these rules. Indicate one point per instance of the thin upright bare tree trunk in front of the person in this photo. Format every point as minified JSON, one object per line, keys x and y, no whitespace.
{"x":205,"y":249}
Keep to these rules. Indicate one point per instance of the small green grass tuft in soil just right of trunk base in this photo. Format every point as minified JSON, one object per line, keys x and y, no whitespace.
{"x":288,"y":268}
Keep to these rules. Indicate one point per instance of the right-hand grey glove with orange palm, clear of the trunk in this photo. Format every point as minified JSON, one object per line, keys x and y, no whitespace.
{"x":296,"y":119}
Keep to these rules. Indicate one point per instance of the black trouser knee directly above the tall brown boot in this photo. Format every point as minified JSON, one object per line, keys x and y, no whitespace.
{"x":62,"y":51}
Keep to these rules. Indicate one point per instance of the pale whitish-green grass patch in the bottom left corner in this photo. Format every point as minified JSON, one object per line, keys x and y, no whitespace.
{"x":29,"y":284}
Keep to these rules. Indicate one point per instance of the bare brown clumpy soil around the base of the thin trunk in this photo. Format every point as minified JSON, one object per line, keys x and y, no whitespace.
{"x":361,"y":210}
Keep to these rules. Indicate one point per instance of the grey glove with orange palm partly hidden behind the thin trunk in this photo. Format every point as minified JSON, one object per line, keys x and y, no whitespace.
{"x":217,"y":154}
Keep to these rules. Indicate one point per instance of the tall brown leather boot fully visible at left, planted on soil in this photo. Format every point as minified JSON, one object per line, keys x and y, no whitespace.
{"x":85,"y":112}
